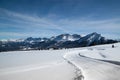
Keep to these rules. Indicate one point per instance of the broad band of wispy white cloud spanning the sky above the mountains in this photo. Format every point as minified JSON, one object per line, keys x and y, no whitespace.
{"x":33,"y":25}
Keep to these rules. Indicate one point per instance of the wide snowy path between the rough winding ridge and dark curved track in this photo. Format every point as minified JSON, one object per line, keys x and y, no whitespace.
{"x":112,"y":68}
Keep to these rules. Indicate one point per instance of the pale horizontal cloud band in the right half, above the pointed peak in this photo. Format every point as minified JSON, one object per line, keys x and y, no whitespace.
{"x":98,"y":25}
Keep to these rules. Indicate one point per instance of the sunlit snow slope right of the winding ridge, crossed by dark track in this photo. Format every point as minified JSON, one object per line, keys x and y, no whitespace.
{"x":92,"y":62}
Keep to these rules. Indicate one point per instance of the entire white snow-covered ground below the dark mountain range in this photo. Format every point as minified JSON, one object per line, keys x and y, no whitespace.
{"x":88,"y":63}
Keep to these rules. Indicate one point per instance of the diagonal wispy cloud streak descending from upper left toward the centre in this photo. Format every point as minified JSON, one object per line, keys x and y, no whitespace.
{"x":35,"y":21}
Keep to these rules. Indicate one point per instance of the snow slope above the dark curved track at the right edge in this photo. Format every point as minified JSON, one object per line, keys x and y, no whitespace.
{"x":103,"y":52}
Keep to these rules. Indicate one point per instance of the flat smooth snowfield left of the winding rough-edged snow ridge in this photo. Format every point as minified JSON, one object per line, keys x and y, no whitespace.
{"x":35,"y":65}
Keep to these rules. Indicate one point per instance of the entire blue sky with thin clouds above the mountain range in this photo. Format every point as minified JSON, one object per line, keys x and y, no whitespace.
{"x":46,"y":18}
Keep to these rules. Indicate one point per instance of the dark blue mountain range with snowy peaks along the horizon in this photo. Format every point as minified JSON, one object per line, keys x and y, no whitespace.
{"x":55,"y":42}
